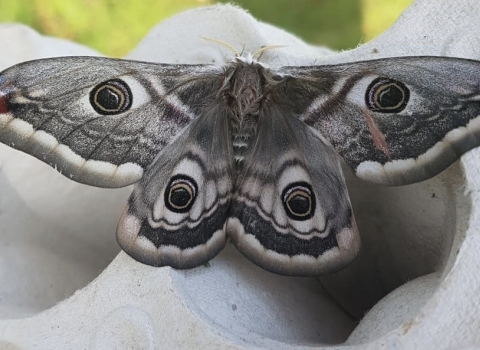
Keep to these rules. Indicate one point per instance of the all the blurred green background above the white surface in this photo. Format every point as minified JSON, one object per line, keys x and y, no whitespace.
{"x":114,"y":27}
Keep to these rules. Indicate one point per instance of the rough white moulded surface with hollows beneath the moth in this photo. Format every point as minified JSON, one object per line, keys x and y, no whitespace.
{"x":57,"y":236}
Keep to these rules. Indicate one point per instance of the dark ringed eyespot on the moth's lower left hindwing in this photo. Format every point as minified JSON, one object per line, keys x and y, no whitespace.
{"x":180,"y":193}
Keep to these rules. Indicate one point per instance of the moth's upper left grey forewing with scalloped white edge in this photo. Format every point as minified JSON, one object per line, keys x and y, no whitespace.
{"x":46,"y":110}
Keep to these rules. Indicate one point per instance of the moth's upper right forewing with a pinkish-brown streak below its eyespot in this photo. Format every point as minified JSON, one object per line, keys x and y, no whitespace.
{"x":394,"y":121}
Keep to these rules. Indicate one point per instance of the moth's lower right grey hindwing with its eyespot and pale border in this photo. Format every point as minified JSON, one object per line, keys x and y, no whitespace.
{"x":291,"y":213}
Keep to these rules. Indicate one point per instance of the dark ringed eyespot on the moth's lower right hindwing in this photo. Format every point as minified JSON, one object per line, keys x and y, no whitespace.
{"x":299,"y":201}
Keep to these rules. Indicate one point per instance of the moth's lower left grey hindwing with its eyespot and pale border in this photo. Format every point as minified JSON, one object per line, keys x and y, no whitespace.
{"x":177,"y":213}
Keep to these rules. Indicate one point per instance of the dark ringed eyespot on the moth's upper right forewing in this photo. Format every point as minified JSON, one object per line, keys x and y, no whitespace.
{"x":387,"y":96}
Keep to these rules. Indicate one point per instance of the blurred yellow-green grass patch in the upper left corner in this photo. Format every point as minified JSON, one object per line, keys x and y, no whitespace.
{"x":109,"y":26}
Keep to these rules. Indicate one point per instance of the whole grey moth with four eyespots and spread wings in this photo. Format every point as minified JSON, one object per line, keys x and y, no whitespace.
{"x":242,"y":151}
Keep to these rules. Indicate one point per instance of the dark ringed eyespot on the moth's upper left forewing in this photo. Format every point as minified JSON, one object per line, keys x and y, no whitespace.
{"x":111,"y":97}
